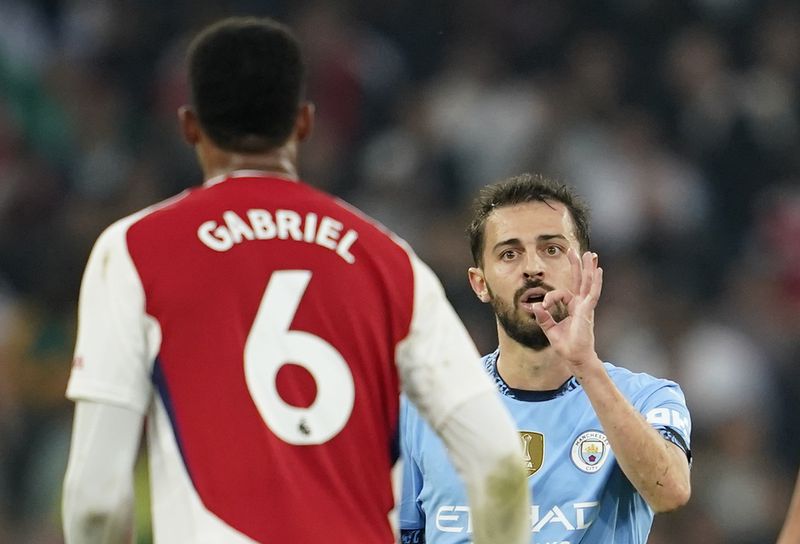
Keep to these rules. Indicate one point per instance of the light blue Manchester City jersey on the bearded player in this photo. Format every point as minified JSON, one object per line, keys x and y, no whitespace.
{"x":579,"y":491}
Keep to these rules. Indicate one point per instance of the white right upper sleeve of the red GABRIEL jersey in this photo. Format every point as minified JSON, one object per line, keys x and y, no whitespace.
{"x":439,"y":365}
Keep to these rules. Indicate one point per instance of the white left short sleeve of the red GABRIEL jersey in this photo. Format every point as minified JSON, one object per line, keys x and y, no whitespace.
{"x":116,"y":341}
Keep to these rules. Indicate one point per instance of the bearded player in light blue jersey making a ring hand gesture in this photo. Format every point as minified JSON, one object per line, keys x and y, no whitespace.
{"x":605,"y":448}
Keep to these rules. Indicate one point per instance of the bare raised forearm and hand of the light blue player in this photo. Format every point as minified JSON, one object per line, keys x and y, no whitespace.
{"x":657,"y":468}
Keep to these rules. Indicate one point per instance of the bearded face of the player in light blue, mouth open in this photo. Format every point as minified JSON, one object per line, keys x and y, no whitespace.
{"x":524,"y":256}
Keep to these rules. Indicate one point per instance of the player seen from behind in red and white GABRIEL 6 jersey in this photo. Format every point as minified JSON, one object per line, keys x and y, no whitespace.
{"x":264,"y":330}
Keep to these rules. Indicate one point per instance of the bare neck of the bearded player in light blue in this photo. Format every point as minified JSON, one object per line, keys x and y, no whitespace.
{"x":528,"y":369}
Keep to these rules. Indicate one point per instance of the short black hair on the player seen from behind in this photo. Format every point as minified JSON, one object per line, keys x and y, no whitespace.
{"x":247,"y":80}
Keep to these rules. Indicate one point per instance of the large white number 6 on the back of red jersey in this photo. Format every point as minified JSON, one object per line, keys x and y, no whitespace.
{"x":271,"y":344}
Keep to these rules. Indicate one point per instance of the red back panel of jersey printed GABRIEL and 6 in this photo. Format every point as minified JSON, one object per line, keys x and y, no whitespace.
{"x":280,"y":310}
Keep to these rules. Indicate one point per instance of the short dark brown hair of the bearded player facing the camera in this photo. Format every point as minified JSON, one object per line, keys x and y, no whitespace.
{"x":520,"y":189}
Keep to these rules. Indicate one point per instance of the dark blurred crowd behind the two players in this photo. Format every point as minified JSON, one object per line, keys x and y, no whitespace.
{"x":678,"y":120}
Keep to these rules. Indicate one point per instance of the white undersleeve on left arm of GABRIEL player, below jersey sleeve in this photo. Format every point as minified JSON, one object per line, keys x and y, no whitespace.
{"x":97,"y":504}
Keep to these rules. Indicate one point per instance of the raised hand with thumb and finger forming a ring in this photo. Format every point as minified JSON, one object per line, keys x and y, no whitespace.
{"x":573,"y":336}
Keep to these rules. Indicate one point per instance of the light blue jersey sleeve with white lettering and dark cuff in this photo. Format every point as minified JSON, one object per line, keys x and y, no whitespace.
{"x":665,"y":409}
